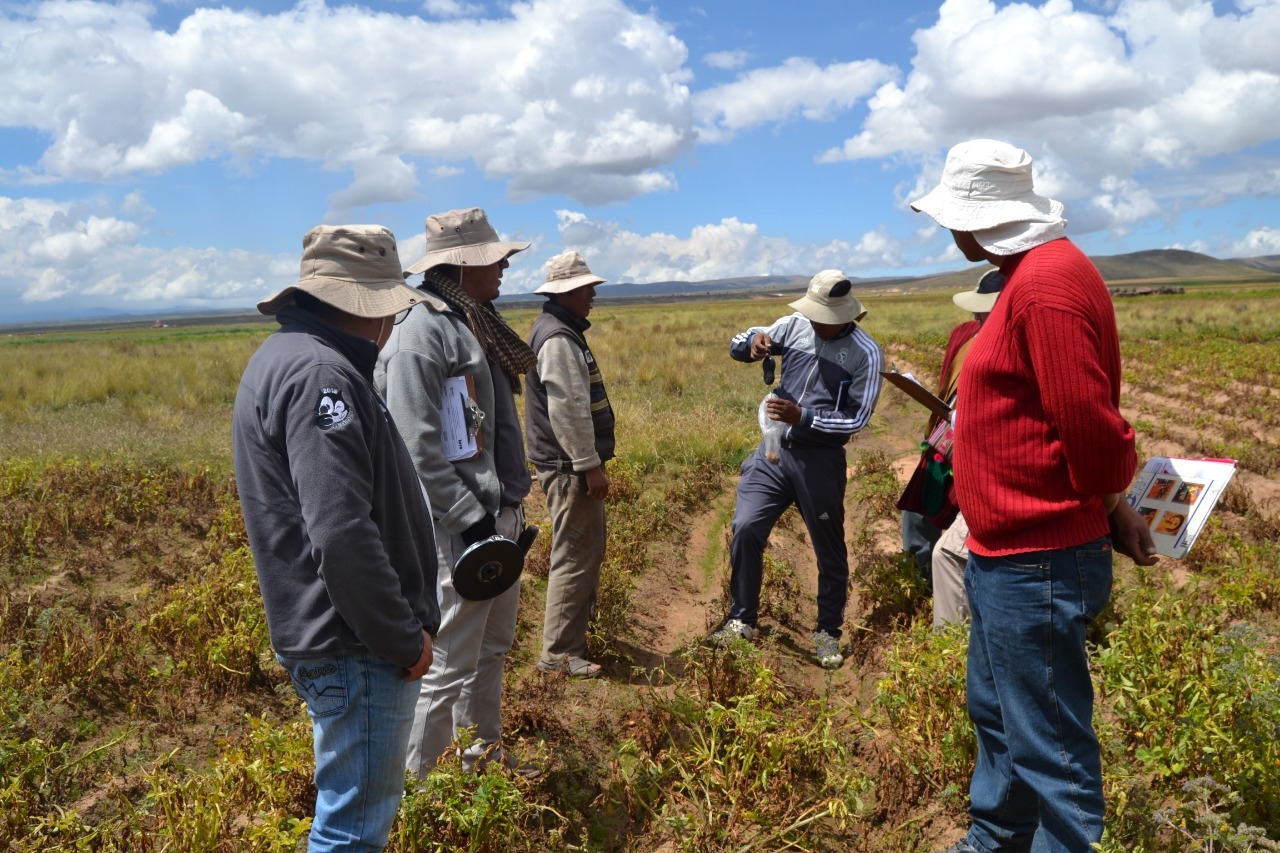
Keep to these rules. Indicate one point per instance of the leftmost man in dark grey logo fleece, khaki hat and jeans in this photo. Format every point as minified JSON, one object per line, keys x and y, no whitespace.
{"x":339,"y":526}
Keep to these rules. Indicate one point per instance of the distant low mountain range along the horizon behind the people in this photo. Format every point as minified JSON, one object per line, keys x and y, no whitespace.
{"x":1160,"y":266}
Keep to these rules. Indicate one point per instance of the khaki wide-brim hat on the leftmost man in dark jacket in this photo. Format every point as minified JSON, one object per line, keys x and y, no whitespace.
{"x":353,"y":268}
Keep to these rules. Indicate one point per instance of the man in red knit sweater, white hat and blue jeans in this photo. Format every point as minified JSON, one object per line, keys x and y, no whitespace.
{"x":1043,"y":458}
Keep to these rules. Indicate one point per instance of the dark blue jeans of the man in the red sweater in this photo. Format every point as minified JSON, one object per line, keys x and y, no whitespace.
{"x":1037,"y":783}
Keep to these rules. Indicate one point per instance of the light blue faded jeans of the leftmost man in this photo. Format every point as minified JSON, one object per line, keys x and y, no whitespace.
{"x":360,"y":714}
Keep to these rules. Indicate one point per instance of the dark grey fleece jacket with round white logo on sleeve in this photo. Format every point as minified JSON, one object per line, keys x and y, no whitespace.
{"x":337,"y":522}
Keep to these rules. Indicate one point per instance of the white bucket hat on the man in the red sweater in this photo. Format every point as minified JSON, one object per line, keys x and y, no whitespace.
{"x":985,"y":185}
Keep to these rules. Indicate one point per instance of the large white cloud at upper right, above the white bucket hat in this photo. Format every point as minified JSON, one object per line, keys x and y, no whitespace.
{"x":1123,"y":110}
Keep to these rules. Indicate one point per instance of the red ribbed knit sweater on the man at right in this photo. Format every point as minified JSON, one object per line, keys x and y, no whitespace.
{"x":1040,"y":437}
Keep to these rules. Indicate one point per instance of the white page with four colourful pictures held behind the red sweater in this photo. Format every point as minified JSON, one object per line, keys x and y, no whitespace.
{"x":1177,"y":496}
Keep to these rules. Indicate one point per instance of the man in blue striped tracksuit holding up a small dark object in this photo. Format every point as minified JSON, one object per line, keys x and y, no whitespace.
{"x":828,"y":393}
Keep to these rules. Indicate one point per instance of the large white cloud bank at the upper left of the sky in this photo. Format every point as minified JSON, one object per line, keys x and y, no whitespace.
{"x":591,"y":98}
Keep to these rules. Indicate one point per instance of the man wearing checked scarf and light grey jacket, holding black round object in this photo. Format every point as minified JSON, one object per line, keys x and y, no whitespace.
{"x":459,"y":334}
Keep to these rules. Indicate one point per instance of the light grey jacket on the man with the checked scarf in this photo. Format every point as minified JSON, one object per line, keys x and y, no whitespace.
{"x":433,"y":345}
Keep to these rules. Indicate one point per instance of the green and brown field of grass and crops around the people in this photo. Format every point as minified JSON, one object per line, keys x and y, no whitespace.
{"x":141,"y":710}
